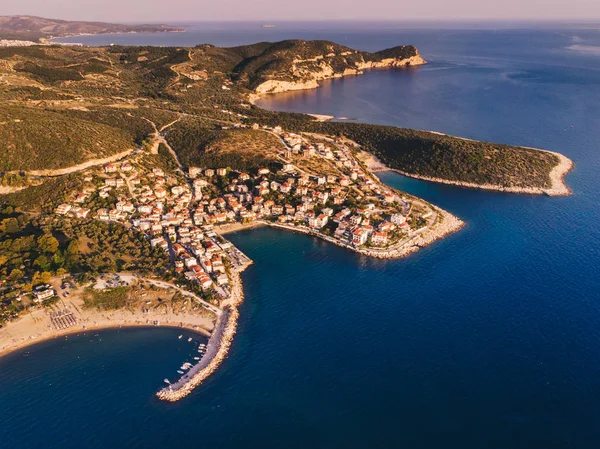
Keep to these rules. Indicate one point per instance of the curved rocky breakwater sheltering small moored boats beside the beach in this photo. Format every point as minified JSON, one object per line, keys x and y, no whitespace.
{"x":216,"y":351}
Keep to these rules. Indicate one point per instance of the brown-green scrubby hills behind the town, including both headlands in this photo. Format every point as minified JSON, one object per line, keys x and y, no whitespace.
{"x":90,"y":102}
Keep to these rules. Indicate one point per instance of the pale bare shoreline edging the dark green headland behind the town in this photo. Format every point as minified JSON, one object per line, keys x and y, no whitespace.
{"x":557,"y":175}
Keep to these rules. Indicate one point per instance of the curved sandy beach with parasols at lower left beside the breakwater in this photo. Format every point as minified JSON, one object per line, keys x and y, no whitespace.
{"x":36,"y":326}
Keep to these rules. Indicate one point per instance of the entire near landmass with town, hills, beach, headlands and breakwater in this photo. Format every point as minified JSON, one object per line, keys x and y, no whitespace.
{"x":125,"y":168}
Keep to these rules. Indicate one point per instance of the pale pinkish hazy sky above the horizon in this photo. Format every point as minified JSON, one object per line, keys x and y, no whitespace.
{"x":264,"y":10}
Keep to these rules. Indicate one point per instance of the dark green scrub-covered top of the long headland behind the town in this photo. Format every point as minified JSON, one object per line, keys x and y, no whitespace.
{"x":434,"y":155}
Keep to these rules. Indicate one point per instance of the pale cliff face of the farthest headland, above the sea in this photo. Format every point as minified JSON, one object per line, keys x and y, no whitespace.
{"x":306,"y":74}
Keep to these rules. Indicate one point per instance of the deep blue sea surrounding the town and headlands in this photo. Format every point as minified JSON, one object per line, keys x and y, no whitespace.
{"x":489,"y":338}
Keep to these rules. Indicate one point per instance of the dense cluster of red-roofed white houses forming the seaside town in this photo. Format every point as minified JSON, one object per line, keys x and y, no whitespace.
{"x":320,"y":189}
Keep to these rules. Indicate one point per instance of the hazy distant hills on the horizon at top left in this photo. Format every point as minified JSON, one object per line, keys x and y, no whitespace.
{"x":33,"y":28}
